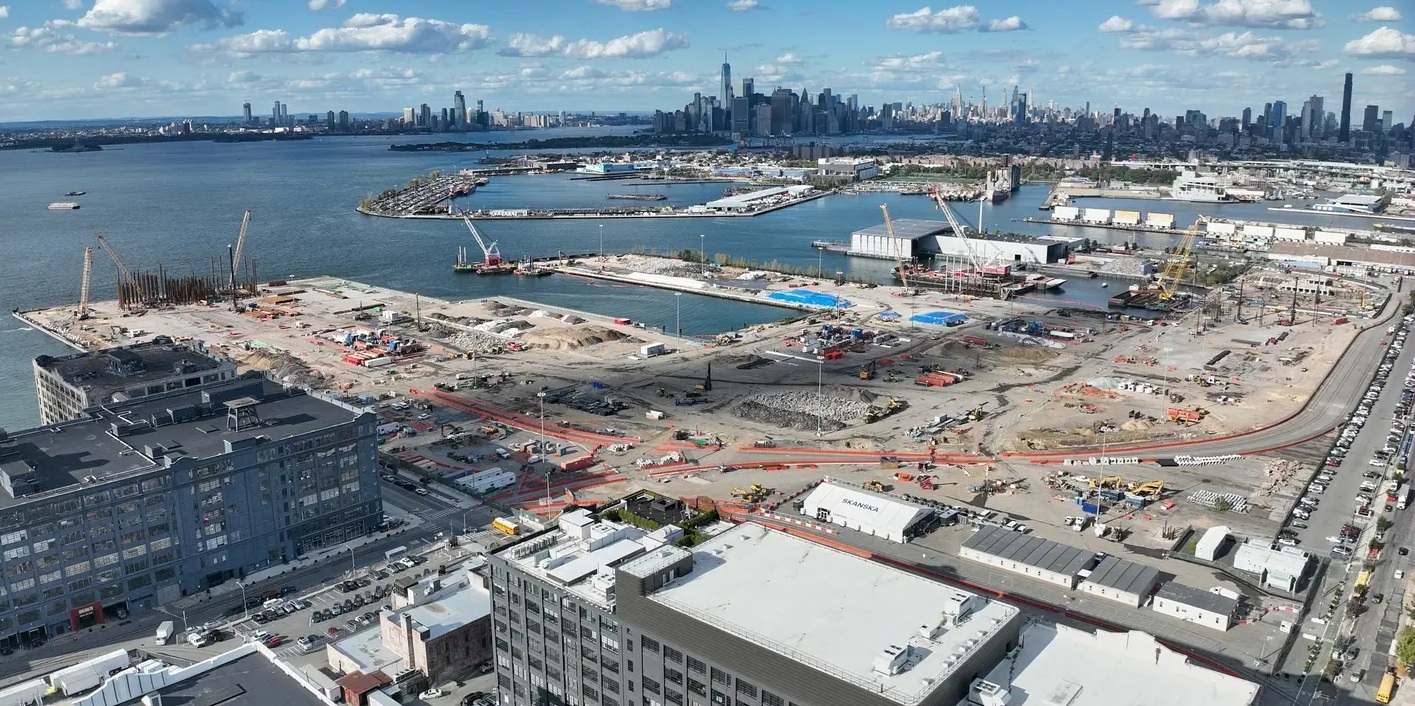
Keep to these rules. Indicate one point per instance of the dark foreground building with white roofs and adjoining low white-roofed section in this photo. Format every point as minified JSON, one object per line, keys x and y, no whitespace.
{"x":602,"y":613}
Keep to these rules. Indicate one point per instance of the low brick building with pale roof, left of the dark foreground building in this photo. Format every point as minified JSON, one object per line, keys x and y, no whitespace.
{"x":439,"y":627}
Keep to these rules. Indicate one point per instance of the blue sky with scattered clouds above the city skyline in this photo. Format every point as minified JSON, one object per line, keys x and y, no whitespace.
{"x":111,"y":59}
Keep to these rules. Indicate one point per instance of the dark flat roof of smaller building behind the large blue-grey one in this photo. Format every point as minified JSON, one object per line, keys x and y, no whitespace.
{"x":117,"y":370}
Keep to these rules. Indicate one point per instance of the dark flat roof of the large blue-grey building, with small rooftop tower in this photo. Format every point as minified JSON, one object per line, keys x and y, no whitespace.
{"x":176,"y":425}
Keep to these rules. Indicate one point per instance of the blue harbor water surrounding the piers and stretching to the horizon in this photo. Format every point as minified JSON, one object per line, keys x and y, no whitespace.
{"x":180,"y":206}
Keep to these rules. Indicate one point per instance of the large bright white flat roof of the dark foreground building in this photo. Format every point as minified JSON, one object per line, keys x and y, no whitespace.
{"x":828,"y":609}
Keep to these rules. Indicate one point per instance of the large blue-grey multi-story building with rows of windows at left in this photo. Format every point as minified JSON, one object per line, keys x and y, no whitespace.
{"x":142,"y":503}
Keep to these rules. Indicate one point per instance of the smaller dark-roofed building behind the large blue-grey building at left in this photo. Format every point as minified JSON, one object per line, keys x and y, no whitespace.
{"x":69,"y":386}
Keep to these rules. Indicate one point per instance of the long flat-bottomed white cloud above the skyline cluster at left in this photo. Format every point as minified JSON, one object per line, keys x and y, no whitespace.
{"x":364,"y":32}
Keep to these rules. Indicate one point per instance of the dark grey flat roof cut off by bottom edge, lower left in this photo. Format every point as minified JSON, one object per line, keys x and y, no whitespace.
{"x":248,"y":680}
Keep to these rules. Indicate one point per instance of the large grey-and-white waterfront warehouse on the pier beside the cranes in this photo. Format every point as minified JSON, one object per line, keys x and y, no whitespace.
{"x":920,"y":240}
